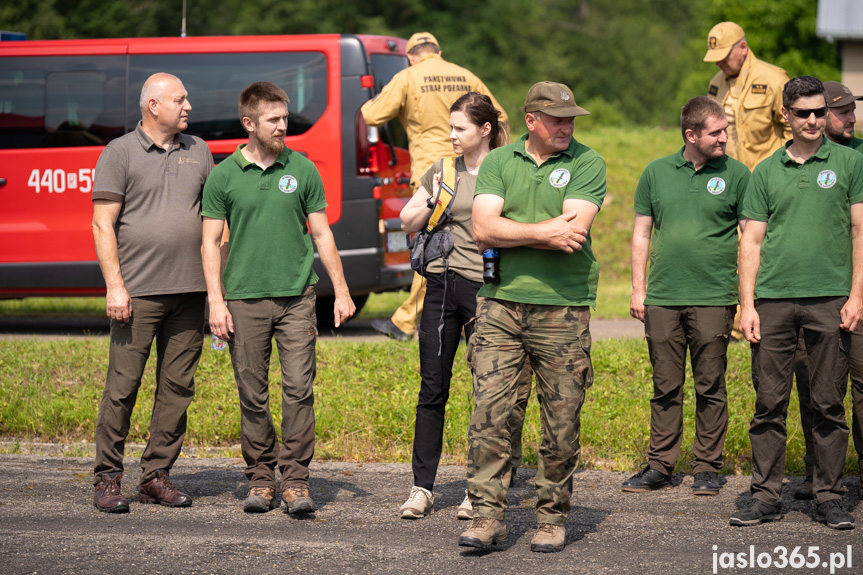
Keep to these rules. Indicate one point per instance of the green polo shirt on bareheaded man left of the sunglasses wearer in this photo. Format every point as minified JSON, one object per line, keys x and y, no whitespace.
{"x":693,"y":252}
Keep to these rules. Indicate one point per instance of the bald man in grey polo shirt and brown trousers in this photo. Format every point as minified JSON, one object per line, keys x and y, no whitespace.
{"x":147,"y":230}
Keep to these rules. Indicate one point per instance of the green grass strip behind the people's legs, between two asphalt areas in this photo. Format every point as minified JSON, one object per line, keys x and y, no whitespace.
{"x":365,"y":403}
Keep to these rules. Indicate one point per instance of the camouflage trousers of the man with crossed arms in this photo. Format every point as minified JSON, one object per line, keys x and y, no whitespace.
{"x":556,"y":341}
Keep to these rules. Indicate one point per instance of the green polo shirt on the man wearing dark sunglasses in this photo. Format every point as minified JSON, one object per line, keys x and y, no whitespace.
{"x":807,"y":207}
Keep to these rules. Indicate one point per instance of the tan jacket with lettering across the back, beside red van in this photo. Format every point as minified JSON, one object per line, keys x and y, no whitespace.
{"x":421,"y":95}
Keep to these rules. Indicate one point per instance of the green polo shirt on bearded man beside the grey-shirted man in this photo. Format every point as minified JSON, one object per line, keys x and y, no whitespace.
{"x":270,"y":250}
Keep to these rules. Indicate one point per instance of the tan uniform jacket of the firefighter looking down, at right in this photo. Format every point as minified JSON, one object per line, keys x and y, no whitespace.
{"x":760,"y":127}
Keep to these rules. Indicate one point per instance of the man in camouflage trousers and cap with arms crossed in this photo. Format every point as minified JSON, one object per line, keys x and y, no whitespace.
{"x":535,"y":201}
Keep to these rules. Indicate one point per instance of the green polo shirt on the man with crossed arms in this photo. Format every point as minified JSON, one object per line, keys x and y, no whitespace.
{"x":533,"y":194}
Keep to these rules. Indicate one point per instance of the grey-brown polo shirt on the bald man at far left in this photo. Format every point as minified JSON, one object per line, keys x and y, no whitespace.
{"x":159,"y":226}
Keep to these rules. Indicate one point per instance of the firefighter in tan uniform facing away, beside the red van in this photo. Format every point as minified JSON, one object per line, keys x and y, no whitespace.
{"x":421,"y":96}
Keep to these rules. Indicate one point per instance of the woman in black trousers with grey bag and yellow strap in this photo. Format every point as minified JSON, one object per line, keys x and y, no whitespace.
{"x":454,"y":278}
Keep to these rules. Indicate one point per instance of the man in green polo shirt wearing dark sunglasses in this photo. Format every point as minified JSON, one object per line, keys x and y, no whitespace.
{"x":800,"y":269}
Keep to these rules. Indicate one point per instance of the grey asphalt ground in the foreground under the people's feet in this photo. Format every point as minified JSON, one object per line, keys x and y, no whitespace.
{"x":49,"y":525}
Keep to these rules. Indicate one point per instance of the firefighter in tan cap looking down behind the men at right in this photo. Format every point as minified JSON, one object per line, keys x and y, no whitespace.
{"x":751,"y":93}
